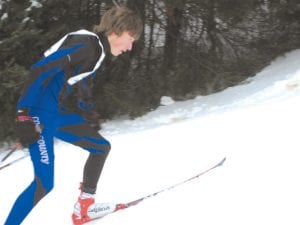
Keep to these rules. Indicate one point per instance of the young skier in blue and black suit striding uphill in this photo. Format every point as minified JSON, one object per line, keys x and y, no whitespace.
{"x":42,"y":115}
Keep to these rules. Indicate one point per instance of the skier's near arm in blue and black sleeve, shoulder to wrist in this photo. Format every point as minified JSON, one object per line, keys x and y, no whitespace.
{"x":77,"y":54}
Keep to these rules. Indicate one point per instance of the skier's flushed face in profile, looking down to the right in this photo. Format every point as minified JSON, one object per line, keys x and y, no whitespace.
{"x":120,"y":44}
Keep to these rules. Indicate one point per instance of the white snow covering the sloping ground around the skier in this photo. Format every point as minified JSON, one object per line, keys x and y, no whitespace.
{"x":254,"y":125}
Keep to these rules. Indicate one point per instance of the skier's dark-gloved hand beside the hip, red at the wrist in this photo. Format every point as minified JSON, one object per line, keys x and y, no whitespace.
{"x":25,"y":129}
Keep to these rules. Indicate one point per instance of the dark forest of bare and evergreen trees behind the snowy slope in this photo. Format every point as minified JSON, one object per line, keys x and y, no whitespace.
{"x":188,"y":48}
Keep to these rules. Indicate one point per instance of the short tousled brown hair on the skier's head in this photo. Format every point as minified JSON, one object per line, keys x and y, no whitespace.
{"x":119,"y":19}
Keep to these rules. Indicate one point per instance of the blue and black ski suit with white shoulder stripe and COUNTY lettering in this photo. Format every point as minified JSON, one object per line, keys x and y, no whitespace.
{"x":72,"y":60}
